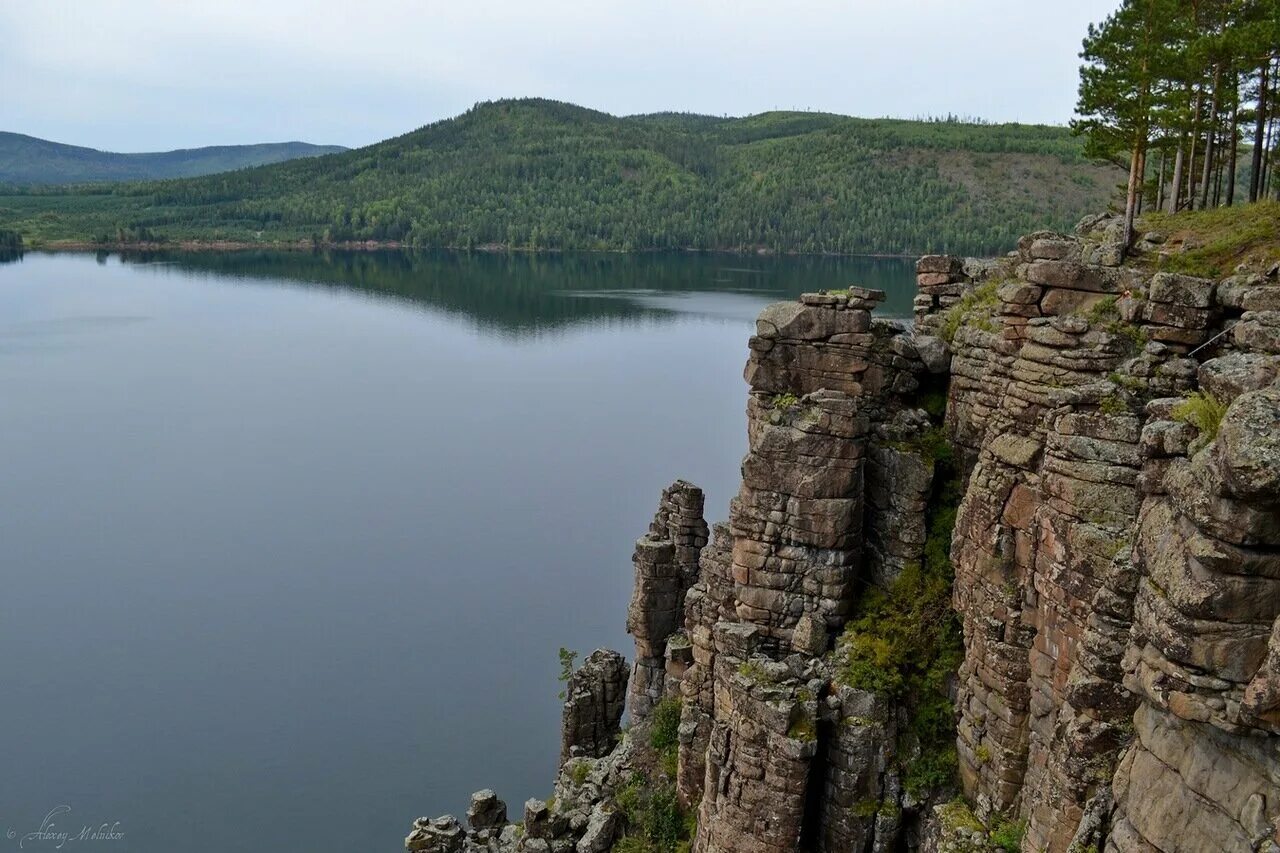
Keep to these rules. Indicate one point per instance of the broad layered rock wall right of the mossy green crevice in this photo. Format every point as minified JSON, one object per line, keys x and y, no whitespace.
{"x":1114,"y":577}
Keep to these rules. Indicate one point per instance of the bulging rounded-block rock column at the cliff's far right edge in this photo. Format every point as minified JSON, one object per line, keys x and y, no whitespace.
{"x":1204,"y":772}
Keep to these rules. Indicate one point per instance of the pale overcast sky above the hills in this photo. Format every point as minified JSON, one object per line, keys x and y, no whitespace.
{"x":157,"y":75}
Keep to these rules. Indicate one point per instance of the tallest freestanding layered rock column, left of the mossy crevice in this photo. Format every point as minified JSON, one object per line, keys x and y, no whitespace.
{"x":775,"y":752}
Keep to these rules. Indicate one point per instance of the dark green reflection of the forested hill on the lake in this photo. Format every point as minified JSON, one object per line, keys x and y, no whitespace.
{"x":522,"y":295}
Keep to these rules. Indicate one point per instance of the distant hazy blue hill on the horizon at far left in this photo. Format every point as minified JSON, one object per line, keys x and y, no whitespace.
{"x":25,"y":159}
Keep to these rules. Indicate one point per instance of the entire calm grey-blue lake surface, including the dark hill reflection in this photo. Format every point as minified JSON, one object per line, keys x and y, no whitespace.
{"x":290,"y":542}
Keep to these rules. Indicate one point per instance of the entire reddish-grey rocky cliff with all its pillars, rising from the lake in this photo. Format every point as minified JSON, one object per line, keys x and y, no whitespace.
{"x":1005,"y":580}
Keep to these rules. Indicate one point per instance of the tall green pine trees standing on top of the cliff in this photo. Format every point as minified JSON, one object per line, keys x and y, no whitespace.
{"x":1185,"y":95}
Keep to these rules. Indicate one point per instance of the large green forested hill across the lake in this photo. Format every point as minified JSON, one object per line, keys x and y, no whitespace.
{"x":543,"y":175}
